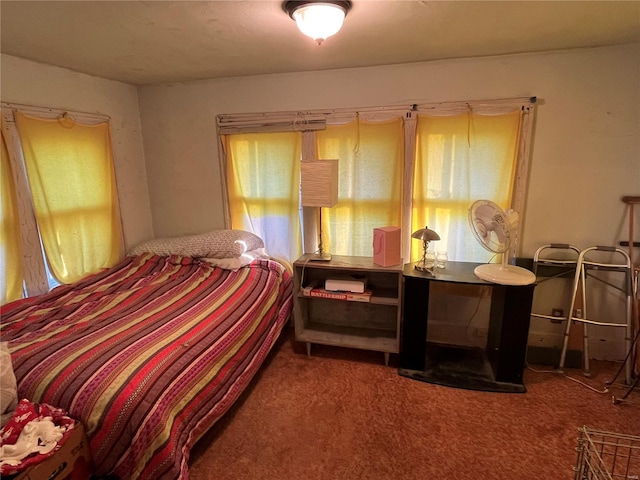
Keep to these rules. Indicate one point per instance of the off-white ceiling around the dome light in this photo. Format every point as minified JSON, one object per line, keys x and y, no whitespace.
{"x":152,"y":42}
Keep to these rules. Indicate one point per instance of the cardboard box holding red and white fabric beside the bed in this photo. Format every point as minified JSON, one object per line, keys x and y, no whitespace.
{"x":71,"y":462}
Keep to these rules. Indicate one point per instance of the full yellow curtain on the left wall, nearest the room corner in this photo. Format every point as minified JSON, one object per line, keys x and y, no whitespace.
{"x":70,"y":172}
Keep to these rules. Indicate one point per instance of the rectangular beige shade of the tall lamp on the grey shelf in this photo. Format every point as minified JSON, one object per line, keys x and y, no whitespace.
{"x":319,"y":183}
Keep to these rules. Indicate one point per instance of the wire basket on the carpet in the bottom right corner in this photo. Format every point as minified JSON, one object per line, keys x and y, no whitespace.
{"x":607,"y":456}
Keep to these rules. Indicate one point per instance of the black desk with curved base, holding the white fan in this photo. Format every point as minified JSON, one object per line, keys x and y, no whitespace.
{"x":499,"y":367}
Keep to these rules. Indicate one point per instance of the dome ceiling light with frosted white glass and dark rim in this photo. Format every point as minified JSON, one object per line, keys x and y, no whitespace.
{"x":318,"y":19}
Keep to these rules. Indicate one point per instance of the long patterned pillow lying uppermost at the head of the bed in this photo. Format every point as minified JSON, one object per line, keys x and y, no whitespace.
{"x":215,"y":244}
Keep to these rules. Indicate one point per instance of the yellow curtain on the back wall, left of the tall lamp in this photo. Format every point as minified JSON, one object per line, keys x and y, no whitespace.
{"x":263,"y":187}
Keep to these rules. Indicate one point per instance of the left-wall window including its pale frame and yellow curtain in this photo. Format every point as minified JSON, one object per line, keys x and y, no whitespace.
{"x":68,"y":207}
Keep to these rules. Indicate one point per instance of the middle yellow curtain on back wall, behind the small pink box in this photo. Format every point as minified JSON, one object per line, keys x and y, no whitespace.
{"x":370,"y":157}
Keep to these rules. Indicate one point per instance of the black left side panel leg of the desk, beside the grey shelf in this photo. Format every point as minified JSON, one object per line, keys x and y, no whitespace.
{"x":414,"y":329}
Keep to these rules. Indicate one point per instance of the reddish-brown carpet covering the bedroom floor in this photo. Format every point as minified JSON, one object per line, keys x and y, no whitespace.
{"x":341,"y":414}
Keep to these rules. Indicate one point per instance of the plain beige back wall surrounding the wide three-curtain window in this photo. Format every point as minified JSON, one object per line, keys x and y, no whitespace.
{"x":585,"y":156}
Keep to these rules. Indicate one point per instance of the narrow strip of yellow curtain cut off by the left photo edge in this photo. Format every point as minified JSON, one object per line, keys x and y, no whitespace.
{"x":11,"y":283}
